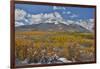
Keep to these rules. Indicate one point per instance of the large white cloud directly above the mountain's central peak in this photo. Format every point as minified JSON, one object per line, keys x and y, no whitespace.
{"x":45,"y":18}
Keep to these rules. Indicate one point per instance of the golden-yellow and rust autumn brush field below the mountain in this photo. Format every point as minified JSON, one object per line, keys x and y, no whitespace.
{"x":38,"y":45}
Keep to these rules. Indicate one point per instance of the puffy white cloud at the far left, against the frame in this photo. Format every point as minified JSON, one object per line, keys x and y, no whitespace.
{"x":21,"y":17}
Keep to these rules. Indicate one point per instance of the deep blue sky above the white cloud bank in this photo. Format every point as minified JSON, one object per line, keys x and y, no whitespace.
{"x":66,"y":12}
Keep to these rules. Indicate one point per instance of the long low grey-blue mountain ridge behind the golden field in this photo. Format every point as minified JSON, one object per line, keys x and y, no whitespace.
{"x":52,"y":27}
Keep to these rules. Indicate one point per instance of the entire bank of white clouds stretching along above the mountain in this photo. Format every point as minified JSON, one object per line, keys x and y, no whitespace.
{"x":24,"y":18}
